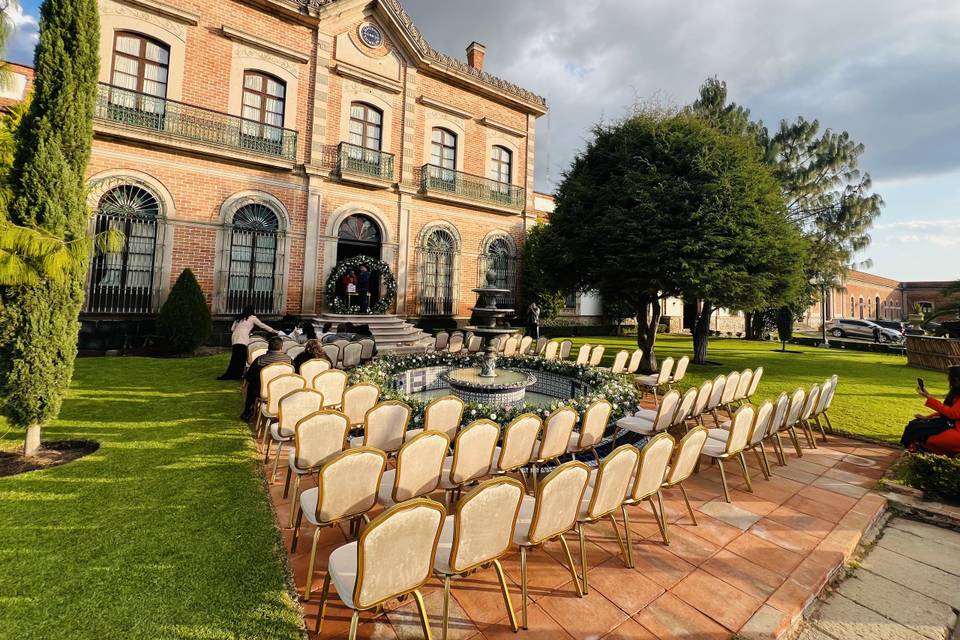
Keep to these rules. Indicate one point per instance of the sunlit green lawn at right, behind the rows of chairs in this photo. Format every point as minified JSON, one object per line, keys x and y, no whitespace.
{"x":875,"y":397}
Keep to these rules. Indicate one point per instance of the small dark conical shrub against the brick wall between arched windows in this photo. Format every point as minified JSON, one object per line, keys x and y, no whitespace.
{"x":184,"y":322}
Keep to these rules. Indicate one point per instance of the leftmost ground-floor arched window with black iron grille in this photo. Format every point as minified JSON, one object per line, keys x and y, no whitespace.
{"x":124,"y":282}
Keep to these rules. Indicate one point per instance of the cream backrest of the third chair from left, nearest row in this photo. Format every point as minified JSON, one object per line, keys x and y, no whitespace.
{"x":558,"y":501}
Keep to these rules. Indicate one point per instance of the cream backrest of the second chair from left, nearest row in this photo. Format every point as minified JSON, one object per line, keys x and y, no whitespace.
{"x":484,"y":523}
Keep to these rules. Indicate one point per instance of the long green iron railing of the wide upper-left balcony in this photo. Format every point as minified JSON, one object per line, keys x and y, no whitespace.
{"x":198,"y":124}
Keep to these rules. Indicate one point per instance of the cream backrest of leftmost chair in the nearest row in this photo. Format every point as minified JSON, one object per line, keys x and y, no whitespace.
{"x":395,"y":552}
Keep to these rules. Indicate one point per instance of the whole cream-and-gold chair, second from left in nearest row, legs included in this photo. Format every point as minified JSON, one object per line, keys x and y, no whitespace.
{"x":478,"y":534}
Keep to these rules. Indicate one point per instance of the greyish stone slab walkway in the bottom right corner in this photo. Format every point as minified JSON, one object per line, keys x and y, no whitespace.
{"x":908,"y":587}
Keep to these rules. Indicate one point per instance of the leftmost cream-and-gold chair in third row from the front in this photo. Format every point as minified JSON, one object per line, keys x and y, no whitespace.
{"x":317,"y":438}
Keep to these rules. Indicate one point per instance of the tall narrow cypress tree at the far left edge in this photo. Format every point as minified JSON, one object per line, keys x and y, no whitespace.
{"x":38,"y":323}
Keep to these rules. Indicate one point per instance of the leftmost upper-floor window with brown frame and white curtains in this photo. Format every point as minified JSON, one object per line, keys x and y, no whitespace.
{"x":139,"y":74}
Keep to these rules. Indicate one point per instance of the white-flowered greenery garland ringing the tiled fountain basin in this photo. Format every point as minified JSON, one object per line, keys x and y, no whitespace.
{"x":618,"y":389}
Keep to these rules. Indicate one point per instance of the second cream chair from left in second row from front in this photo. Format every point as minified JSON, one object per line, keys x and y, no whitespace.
{"x":417,"y":473}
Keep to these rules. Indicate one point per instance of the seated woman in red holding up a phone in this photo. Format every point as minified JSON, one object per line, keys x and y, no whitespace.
{"x":937,"y":432}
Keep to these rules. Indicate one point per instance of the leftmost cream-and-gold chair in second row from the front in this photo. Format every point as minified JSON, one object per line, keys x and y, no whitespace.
{"x":346,"y":489}
